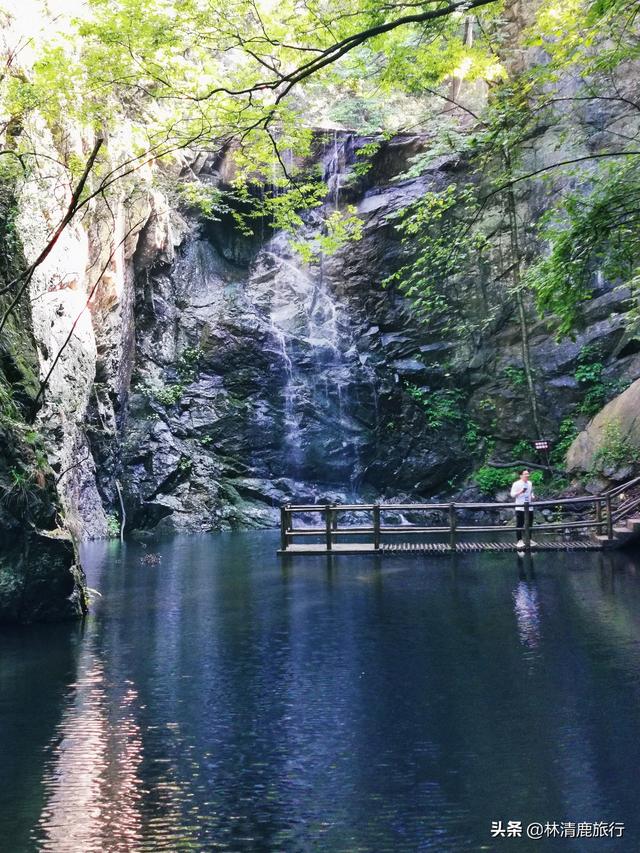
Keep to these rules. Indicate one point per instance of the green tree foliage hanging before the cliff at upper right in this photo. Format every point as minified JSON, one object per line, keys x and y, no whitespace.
{"x":593,"y":232}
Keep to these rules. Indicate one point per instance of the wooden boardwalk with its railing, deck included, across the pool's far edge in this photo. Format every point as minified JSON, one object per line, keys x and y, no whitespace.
{"x":589,"y":523}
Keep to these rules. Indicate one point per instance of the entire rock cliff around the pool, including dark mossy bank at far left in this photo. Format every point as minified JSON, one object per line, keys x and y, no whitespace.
{"x":198,"y":376}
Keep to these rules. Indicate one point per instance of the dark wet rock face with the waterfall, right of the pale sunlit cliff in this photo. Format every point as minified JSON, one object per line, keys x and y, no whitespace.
{"x":259,"y":379}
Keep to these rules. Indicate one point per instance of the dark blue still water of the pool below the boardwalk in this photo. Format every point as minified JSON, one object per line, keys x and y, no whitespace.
{"x":222,"y":700}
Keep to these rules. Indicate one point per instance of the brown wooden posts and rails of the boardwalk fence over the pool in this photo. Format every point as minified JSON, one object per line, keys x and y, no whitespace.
{"x":599,"y":509}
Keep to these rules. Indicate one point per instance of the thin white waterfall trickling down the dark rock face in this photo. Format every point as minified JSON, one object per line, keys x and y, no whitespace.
{"x":310,"y":339}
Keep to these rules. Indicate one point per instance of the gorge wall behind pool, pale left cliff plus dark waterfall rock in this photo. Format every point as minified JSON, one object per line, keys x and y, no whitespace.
{"x":216,"y":375}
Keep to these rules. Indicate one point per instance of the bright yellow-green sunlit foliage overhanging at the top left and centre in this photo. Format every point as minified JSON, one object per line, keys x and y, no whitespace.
{"x":155,"y":77}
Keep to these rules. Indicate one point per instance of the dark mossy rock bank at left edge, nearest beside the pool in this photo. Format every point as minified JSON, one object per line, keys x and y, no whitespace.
{"x":40,"y":575}
